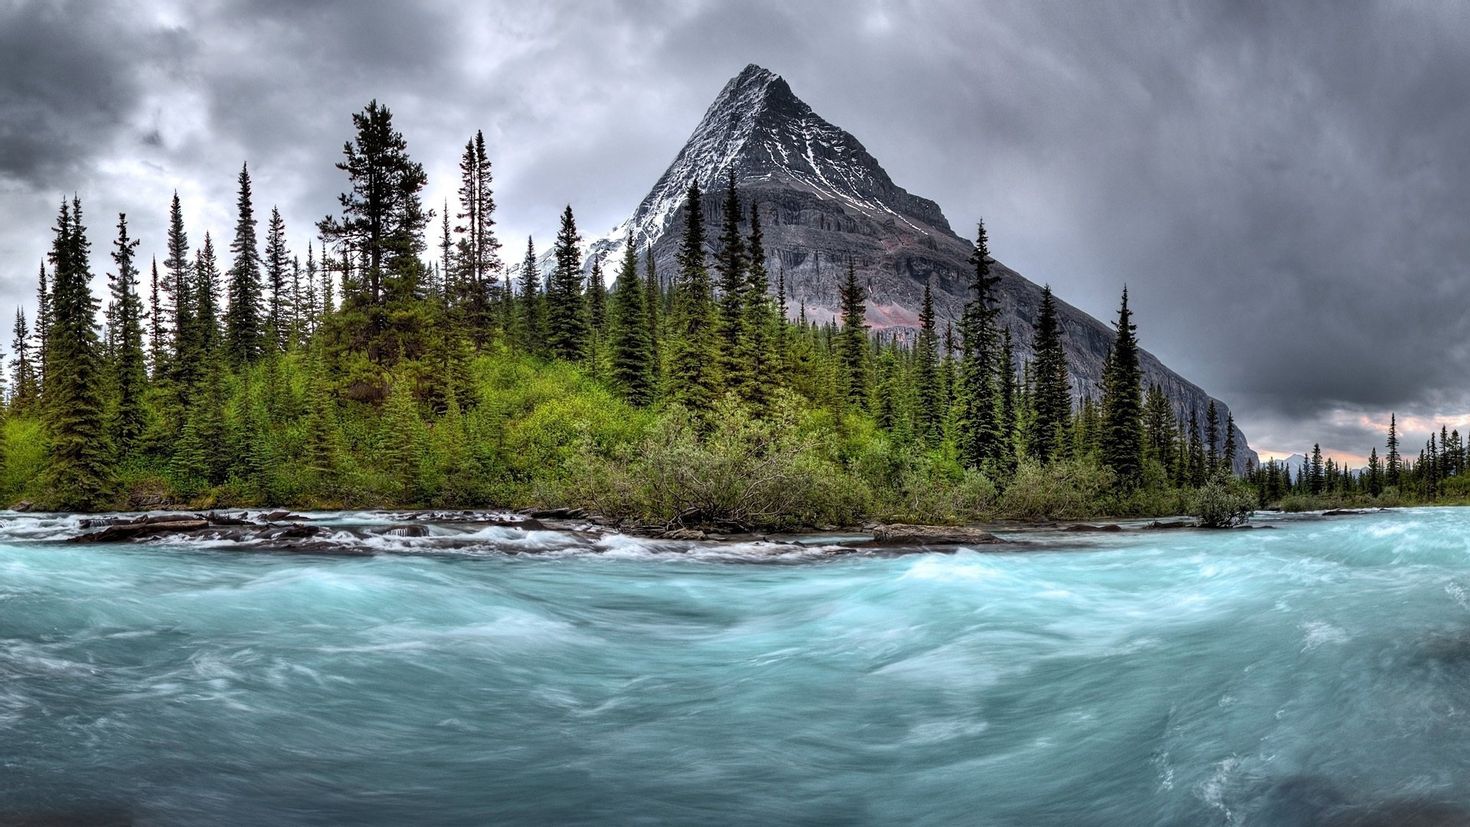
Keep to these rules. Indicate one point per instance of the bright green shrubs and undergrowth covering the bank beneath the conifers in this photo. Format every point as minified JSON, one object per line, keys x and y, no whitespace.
{"x":537,"y":434}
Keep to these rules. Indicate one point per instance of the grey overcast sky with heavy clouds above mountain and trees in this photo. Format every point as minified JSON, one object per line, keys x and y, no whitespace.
{"x":1283,"y":186}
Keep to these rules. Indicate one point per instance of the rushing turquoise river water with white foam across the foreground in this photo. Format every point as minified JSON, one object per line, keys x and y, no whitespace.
{"x":1316,"y":673}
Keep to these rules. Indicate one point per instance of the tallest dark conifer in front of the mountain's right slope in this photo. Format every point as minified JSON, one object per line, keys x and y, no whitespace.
{"x":980,"y":433}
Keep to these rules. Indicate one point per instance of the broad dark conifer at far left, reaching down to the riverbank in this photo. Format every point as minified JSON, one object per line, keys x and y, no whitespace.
{"x":79,"y":474}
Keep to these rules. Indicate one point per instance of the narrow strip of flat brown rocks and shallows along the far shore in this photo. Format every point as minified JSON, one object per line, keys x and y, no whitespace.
{"x":373,"y":532}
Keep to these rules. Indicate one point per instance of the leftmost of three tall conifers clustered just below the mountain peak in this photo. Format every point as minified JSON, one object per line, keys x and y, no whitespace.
{"x":695,"y":350}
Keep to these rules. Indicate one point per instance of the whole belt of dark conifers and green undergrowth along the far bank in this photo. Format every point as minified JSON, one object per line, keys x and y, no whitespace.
{"x":399,"y":362}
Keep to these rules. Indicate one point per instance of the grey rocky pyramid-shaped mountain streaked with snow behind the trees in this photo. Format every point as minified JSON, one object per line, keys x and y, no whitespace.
{"x":824,"y":202}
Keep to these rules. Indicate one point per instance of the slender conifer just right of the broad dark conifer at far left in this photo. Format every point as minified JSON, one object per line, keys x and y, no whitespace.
{"x":130,"y":374}
